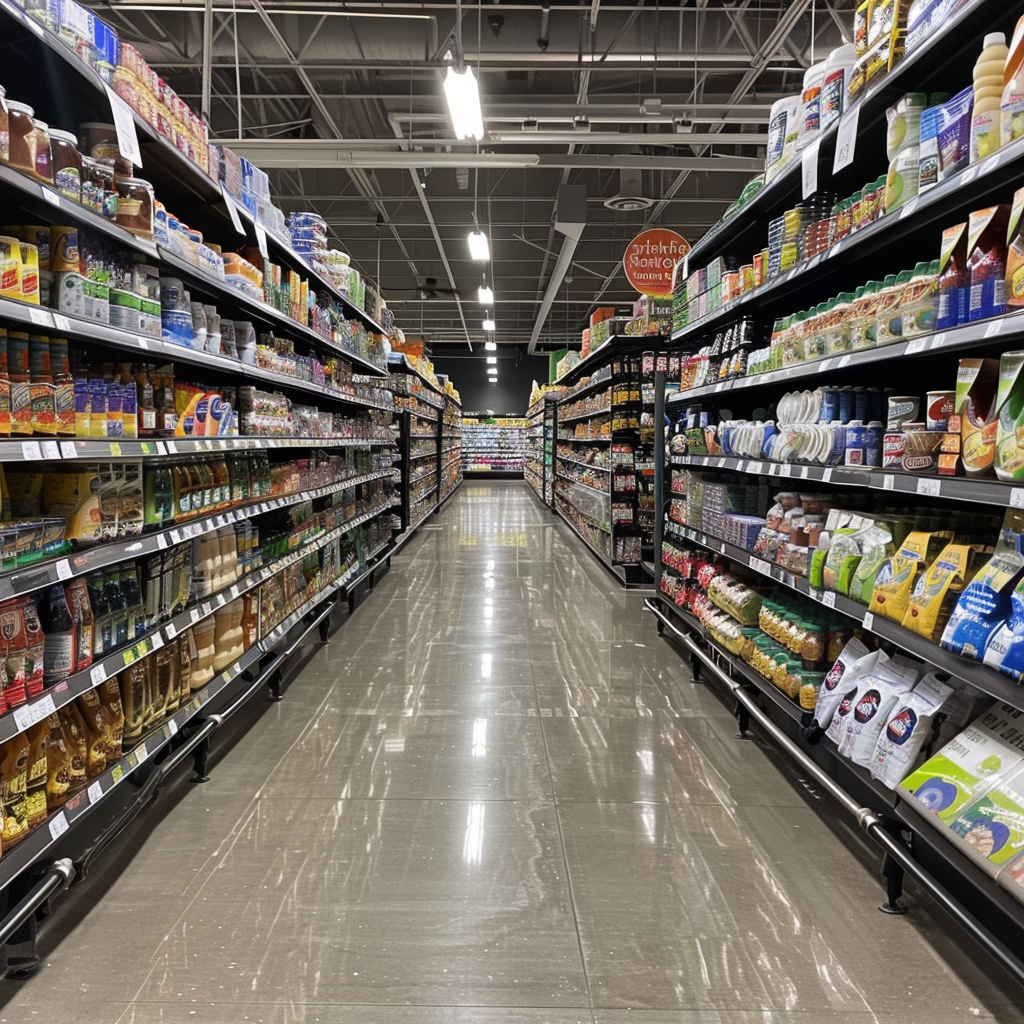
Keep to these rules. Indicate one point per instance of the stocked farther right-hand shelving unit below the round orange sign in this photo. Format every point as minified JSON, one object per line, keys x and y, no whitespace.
{"x":605,"y":470}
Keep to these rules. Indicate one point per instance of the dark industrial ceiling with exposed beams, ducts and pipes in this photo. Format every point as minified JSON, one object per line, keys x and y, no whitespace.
{"x":659,"y":110}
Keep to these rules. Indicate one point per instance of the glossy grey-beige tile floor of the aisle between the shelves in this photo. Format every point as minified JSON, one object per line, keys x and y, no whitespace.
{"x":497,"y":798}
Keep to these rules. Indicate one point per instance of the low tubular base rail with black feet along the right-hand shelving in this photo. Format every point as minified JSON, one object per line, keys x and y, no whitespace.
{"x":878,"y":827}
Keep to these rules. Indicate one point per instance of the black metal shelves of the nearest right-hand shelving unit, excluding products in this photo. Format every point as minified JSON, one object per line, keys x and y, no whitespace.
{"x":886,"y":246}
